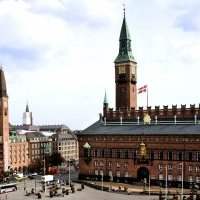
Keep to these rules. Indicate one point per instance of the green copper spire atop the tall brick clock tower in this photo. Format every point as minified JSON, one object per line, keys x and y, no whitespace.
{"x":125,"y":51}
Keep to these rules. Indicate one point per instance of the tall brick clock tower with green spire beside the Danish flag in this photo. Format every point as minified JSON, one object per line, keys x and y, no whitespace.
{"x":125,"y":71}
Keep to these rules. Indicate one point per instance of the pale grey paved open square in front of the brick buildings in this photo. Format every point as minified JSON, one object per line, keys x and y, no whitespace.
{"x":86,"y":194}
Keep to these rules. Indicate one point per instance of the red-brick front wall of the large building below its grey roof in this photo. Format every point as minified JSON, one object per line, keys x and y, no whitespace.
{"x":120,"y":155}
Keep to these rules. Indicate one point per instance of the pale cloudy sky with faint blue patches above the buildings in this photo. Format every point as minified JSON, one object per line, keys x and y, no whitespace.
{"x":58,"y":55}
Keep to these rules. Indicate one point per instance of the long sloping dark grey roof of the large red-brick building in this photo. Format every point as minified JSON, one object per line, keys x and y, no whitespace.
{"x":99,"y":128}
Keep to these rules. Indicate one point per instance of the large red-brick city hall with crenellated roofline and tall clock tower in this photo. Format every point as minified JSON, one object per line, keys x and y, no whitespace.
{"x":135,"y":144}
